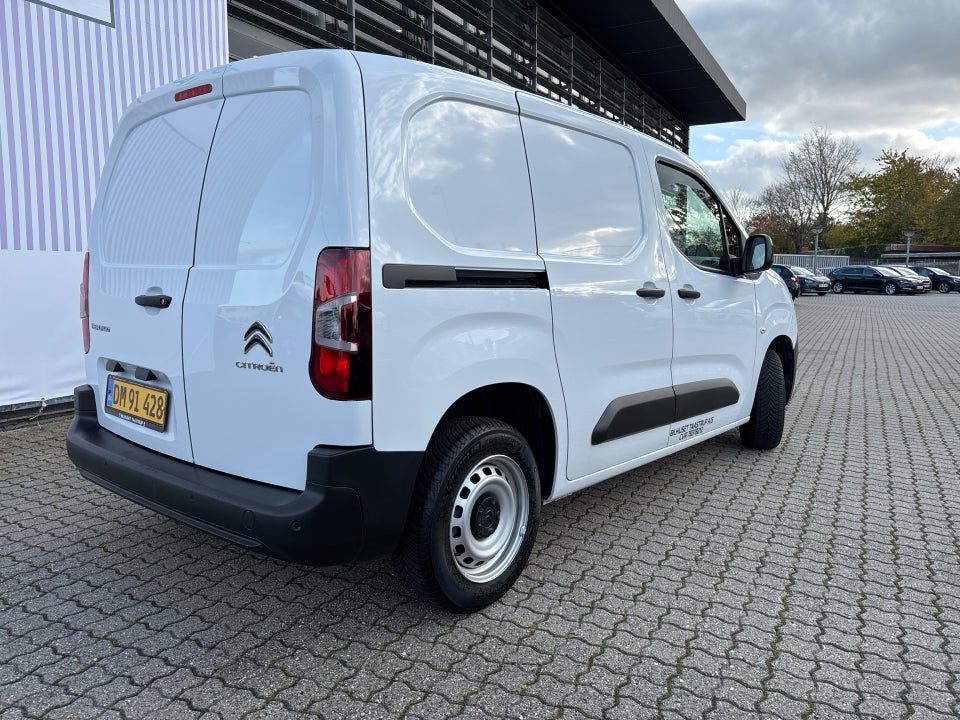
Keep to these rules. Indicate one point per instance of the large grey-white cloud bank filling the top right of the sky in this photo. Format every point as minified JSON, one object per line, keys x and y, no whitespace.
{"x":857,"y":63}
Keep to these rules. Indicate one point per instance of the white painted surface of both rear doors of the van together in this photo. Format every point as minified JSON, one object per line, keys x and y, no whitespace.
{"x":224,"y":206}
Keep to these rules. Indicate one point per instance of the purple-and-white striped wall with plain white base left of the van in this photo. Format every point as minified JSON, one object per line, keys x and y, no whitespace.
{"x":65,"y":78}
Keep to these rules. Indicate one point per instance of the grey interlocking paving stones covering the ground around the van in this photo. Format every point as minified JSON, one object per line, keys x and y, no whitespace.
{"x":819,"y":580}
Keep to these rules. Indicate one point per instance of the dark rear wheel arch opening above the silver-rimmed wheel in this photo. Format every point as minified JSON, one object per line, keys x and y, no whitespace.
{"x":526,"y":409}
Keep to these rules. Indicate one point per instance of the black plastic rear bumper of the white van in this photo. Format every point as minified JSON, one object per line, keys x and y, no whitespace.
{"x":354,"y":505}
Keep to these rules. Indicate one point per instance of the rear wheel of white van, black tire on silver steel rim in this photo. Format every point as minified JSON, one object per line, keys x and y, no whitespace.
{"x":474,"y":514}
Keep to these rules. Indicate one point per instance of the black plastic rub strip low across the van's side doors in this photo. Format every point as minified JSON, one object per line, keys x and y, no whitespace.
{"x":636,"y":413}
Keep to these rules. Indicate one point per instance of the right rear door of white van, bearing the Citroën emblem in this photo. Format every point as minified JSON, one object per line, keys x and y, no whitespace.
{"x":286,"y":178}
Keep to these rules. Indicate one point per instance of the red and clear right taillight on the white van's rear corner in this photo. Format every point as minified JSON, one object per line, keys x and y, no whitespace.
{"x":340,"y":360}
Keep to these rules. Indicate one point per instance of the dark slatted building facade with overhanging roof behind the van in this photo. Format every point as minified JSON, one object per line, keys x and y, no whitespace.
{"x":638,"y":62}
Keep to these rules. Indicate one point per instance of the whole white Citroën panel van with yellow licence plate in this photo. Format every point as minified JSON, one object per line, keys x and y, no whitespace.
{"x":340,"y":305}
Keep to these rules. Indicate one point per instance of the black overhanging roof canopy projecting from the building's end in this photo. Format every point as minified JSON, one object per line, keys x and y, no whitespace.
{"x":657,"y":44}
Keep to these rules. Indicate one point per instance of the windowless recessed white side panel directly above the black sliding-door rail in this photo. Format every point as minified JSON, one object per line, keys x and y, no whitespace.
{"x":467,"y":177}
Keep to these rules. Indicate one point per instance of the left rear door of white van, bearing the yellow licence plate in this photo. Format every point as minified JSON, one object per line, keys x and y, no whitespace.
{"x":141,"y":248}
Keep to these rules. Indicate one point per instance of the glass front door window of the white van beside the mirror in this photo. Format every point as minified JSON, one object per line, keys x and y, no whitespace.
{"x":697,"y":224}
